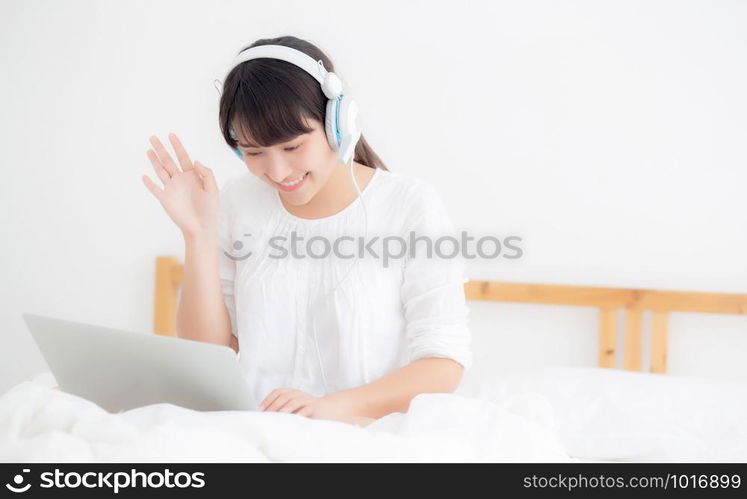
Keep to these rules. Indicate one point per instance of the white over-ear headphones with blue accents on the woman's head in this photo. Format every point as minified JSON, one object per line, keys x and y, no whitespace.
{"x":341,"y":117}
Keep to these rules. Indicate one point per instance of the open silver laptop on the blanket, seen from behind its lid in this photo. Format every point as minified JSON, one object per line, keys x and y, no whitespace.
{"x":121,"y":370}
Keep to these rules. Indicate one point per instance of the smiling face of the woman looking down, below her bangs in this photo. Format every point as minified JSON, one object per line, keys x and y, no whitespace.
{"x":308,"y":158}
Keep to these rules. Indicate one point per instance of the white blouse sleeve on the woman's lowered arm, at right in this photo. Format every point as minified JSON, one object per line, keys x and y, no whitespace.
{"x":432,"y":290}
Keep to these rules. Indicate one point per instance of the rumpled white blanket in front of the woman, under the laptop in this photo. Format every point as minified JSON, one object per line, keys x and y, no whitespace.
{"x":41,"y":424}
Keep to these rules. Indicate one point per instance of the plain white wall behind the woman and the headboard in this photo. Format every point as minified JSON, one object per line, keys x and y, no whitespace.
{"x":610,"y":136}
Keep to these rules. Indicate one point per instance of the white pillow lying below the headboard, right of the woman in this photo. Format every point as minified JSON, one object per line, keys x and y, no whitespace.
{"x":612,"y":414}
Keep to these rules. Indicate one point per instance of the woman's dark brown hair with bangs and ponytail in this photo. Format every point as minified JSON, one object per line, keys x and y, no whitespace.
{"x":268,"y":100}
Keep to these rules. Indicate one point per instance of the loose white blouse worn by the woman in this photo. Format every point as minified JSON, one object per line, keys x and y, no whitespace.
{"x":383,"y":314}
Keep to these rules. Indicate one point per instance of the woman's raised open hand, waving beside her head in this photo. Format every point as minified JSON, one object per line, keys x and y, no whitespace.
{"x":190,"y":194}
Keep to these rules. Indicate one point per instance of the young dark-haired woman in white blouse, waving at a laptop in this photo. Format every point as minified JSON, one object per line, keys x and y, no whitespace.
{"x":350,"y":335}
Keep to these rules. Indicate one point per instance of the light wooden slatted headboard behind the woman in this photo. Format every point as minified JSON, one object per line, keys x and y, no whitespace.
{"x":170,"y":272}
